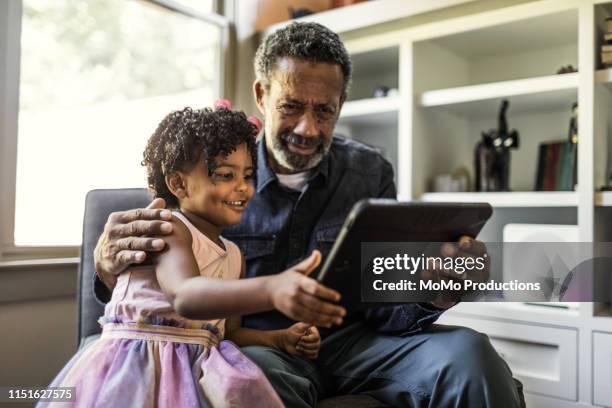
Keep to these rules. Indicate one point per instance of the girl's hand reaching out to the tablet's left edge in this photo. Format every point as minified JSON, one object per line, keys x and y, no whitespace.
{"x":302,"y":298}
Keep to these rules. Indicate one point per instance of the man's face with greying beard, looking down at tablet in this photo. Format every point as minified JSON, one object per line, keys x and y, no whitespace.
{"x":301,"y":107}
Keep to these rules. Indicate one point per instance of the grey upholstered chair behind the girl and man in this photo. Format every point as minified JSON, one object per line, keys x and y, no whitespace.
{"x":99,"y":204}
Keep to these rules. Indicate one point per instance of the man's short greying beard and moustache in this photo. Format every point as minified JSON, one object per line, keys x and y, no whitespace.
{"x":294,"y":161}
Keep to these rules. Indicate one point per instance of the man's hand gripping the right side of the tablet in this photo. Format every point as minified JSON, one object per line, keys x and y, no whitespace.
{"x":466,"y":247}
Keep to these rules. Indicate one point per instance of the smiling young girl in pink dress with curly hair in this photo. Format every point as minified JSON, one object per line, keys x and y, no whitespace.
{"x":161,"y":344}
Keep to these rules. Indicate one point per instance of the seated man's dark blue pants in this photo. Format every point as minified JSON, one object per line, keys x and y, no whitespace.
{"x":444,"y":366}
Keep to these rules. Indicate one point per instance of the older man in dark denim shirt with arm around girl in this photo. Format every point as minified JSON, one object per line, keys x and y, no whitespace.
{"x":307,"y":181}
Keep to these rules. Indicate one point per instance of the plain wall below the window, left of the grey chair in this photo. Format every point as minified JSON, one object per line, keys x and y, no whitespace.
{"x":38,"y":323}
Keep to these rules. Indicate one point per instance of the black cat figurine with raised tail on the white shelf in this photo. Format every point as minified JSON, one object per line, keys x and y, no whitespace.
{"x":492,"y":155}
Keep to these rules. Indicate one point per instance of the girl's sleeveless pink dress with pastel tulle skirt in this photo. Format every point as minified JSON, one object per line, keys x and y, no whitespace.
{"x":149,"y":356}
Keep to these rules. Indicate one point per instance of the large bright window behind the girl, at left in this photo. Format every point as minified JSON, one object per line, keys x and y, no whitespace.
{"x":95,"y":79}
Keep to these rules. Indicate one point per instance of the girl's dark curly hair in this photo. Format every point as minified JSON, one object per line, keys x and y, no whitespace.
{"x":186,"y":136}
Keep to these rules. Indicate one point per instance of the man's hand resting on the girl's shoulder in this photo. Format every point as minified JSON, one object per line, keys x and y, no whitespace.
{"x":126,"y":239}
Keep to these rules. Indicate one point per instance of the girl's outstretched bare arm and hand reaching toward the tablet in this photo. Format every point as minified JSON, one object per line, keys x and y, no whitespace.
{"x":198,"y":297}
